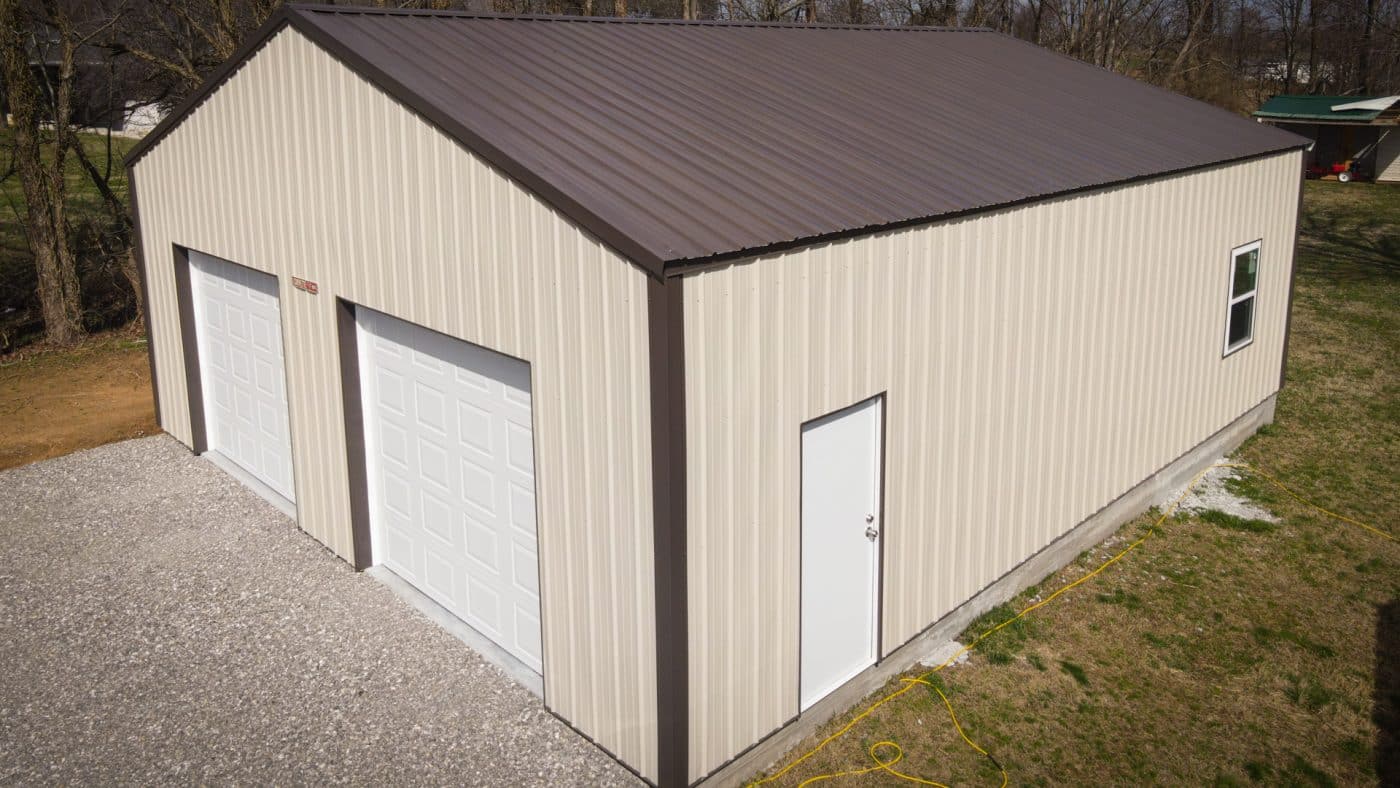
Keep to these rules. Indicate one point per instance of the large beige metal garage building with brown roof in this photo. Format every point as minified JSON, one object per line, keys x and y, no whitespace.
{"x":706,"y":369}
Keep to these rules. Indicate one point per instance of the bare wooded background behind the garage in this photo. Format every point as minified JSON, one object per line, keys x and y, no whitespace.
{"x":73,"y":69}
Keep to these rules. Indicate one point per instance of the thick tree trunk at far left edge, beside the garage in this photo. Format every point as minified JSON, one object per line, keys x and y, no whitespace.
{"x":45,"y":222}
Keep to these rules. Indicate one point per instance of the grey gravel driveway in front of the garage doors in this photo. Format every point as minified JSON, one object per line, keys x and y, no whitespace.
{"x":162,"y":624}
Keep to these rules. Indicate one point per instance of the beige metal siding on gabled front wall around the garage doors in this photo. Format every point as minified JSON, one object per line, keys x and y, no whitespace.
{"x":299,"y":167}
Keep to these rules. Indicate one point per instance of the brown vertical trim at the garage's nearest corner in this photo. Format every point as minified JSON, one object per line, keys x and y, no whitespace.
{"x":668,"y":472}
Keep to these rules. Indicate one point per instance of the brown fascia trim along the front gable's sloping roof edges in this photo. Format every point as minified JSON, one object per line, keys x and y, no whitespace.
{"x":300,"y":22}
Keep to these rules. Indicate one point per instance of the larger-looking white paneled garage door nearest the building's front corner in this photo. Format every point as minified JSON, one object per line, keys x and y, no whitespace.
{"x":453,"y":477}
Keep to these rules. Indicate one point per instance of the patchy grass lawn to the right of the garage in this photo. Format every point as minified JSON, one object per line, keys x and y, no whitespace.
{"x":1219,"y":653}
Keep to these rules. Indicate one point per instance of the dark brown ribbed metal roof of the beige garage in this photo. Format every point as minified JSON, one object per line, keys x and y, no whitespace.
{"x":680,"y":142}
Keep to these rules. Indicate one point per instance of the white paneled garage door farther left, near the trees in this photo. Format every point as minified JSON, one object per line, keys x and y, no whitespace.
{"x":239,"y":327}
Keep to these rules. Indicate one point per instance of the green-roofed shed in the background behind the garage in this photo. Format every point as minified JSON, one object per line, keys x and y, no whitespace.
{"x":1343,"y":128}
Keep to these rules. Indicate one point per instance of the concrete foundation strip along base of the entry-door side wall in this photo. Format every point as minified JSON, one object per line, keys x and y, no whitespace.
{"x":1156,"y":491}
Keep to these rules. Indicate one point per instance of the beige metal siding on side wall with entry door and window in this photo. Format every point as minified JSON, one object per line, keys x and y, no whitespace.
{"x":1039,"y":362}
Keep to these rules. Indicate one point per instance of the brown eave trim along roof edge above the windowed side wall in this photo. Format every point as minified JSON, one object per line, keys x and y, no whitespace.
{"x":682,"y":267}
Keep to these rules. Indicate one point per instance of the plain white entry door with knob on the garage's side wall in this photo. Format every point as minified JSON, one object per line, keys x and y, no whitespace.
{"x":841,"y":547}
